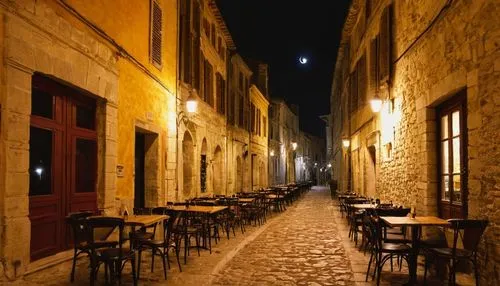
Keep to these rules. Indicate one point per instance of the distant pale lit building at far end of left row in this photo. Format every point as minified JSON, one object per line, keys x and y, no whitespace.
{"x":283,"y":132}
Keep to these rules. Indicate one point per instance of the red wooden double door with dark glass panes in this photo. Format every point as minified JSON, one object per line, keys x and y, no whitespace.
{"x":63,"y":162}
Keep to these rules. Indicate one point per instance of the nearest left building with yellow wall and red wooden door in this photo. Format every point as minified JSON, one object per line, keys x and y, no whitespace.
{"x":77,"y":96}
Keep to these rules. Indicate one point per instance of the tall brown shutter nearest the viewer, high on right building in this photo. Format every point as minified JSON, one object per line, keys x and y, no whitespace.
{"x":385,"y":45}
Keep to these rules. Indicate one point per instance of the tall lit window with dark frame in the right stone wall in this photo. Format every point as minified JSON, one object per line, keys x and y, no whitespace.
{"x":452,"y":167}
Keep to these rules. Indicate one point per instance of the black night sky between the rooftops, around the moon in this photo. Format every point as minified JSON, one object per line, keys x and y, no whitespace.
{"x":278,"y":32}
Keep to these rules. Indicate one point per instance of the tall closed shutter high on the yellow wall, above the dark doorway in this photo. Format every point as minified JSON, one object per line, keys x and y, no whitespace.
{"x":156,"y":33}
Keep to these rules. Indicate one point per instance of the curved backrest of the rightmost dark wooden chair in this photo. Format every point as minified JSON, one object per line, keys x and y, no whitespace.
{"x":469,"y":230}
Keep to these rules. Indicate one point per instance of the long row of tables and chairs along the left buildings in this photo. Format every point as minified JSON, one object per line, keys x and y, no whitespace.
{"x":174,"y":230}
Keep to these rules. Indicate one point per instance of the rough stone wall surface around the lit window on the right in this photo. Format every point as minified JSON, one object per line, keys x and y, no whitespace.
{"x":459,"y":51}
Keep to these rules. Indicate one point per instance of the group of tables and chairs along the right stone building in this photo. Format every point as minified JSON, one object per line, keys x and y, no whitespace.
{"x":393,"y":236}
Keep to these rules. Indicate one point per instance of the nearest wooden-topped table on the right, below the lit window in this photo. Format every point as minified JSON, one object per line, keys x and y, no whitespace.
{"x":416,"y":226}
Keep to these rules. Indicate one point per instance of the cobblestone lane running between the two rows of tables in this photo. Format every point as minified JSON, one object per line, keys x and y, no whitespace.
{"x":301,"y":247}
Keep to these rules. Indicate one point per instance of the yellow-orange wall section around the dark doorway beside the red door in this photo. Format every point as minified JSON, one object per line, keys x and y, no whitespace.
{"x":142,"y":100}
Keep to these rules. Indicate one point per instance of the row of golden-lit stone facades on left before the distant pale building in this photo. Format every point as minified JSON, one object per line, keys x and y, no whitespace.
{"x":94,"y":116}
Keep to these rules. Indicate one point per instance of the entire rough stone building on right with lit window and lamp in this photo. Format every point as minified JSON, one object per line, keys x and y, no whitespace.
{"x":435,"y":67}
